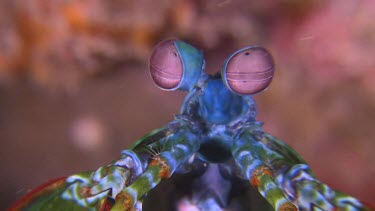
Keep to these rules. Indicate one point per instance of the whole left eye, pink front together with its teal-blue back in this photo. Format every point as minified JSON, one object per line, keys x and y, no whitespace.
{"x":176,"y":65}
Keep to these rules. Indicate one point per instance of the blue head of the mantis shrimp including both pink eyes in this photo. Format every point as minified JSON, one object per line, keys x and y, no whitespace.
{"x":218,"y":99}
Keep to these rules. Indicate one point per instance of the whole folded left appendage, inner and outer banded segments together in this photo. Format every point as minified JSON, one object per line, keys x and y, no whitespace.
{"x":135,"y":173}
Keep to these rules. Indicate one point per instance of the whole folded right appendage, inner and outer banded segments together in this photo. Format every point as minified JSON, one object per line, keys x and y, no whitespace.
{"x":283,"y":177}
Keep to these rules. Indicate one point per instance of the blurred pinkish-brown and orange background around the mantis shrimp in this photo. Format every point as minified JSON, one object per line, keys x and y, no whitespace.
{"x":75,"y":88}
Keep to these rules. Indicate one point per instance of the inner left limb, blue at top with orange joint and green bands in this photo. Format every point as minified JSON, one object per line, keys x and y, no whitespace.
{"x":180,"y":146}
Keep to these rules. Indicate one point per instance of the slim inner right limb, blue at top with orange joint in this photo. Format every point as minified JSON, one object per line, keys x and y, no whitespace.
{"x":259,"y":174}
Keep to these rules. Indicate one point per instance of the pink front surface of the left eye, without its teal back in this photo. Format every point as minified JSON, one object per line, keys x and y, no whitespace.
{"x":166,"y":67}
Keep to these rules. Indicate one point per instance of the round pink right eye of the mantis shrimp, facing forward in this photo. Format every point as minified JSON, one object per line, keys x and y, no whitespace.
{"x":248,"y":71}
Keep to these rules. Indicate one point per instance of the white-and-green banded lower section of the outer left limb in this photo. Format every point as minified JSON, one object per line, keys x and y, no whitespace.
{"x":92,"y":189}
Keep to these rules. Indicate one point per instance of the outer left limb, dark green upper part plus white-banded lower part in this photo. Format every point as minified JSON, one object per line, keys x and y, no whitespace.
{"x":93,"y":188}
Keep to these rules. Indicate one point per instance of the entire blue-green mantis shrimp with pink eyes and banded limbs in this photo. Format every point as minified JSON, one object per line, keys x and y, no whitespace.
{"x":216,"y":140}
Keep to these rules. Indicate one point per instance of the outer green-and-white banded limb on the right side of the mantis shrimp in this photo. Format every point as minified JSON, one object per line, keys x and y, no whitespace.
{"x":297,"y":180}
